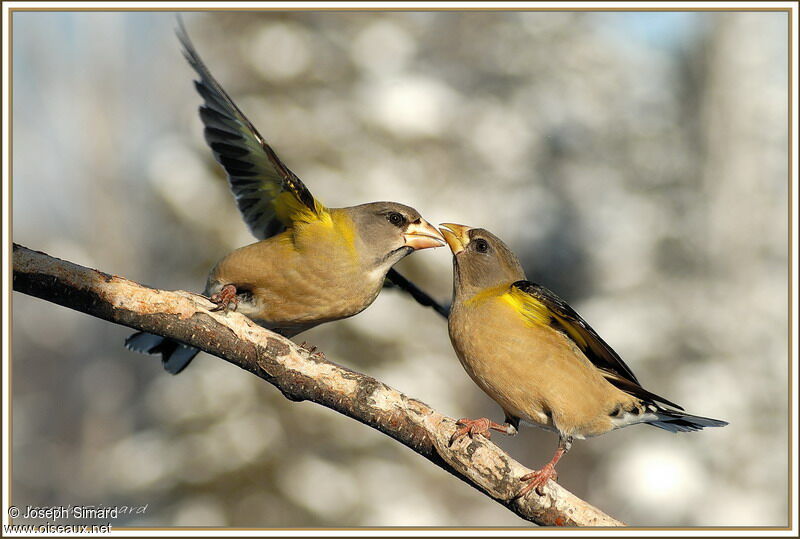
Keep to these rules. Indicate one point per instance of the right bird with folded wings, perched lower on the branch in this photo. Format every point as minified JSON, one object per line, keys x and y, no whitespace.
{"x":537,"y":358}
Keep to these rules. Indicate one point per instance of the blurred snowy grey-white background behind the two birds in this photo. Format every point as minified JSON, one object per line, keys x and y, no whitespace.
{"x":637,"y":163}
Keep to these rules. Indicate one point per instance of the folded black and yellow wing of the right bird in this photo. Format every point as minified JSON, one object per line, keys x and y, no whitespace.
{"x":542,"y":306}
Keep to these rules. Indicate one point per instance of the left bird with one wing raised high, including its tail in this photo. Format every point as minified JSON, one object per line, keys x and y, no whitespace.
{"x":313,"y":264}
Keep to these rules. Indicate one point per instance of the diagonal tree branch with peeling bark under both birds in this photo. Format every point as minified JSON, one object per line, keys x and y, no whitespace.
{"x":300,"y":375}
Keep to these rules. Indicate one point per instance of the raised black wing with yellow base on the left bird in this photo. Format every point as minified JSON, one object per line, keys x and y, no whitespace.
{"x":269,"y":195}
